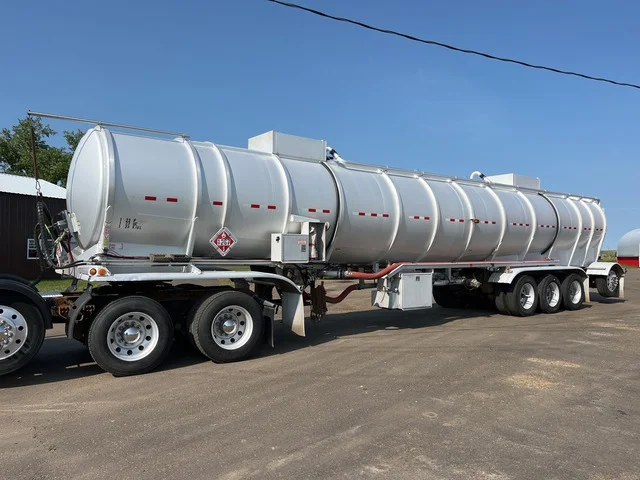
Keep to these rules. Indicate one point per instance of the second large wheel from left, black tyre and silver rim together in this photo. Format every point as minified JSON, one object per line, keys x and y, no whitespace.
{"x":131,"y":335}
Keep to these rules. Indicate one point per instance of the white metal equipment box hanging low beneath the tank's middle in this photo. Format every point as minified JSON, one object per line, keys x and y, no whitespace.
{"x":407,"y":291}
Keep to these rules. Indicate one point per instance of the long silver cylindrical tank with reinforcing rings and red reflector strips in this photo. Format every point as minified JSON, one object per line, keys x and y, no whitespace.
{"x":135,"y":196}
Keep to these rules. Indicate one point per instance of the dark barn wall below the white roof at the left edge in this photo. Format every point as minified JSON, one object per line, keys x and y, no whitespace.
{"x":17,"y":220}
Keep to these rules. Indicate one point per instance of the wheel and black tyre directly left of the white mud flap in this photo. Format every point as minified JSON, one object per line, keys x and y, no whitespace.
{"x":227,"y":326}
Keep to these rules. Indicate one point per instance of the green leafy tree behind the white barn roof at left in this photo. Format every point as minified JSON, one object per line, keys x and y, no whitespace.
{"x":53,"y":162}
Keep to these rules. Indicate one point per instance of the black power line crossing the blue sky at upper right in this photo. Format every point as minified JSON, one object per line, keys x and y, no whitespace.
{"x":451,"y":47}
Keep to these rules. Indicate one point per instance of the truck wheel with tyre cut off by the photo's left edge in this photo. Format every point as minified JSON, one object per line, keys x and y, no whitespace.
{"x":21,"y":332}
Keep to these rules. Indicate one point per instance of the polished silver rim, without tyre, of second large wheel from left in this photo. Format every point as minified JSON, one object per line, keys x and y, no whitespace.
{"x":132,"y":336}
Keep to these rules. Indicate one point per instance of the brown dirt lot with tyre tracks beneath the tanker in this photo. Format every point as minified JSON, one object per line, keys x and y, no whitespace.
{"x":372,"y":394}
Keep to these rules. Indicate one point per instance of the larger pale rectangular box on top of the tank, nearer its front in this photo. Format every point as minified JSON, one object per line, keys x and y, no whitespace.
{"x":289,"y":146}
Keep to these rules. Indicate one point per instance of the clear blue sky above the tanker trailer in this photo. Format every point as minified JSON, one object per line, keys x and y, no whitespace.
{"x":226,"y":70}
